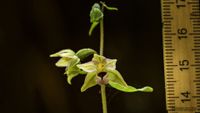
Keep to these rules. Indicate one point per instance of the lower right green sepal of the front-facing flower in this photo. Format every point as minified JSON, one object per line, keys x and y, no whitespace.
{"x":115,"y":76}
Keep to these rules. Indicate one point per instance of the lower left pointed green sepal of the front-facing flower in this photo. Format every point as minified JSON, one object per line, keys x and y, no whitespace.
{"x":90,"y":81}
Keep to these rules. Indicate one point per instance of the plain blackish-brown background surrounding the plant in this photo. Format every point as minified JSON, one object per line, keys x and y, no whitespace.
{"x":31,"y":30}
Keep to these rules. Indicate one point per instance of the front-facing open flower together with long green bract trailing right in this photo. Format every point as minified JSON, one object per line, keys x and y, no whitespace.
{"x":103,"y":71}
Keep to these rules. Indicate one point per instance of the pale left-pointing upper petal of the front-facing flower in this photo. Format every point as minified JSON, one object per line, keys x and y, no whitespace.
{"x":87,"y":67}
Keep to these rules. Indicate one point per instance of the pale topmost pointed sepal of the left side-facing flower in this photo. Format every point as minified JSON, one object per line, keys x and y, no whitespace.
{"x":64,"y":53}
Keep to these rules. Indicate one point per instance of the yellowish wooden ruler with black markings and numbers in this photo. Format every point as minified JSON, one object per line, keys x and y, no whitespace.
{"x":181,"y":46}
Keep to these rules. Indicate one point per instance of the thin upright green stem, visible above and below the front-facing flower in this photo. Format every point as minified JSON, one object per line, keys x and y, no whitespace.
{"x":103,"y":86}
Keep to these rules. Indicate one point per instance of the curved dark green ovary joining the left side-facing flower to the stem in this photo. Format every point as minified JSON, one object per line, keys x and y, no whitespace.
{"x":83,"y":53}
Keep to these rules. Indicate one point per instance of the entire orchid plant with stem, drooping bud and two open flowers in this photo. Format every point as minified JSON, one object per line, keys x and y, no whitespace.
{"x":100,"y":70}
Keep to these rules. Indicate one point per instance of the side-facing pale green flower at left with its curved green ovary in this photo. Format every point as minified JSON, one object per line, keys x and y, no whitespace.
{"x":69,"y":59}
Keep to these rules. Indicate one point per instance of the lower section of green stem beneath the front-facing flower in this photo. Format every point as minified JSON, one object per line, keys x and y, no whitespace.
{"x":103,"y":97}
